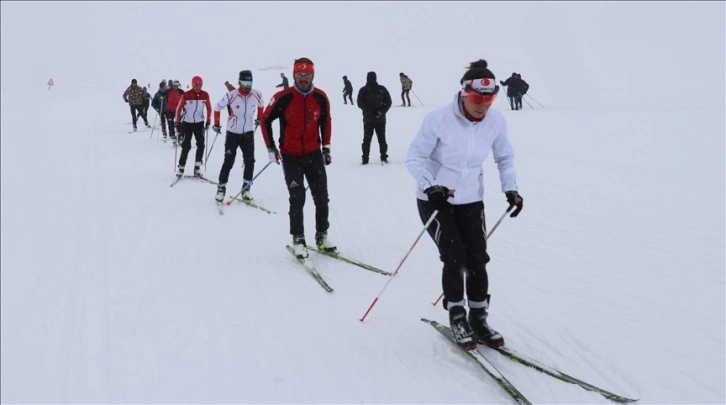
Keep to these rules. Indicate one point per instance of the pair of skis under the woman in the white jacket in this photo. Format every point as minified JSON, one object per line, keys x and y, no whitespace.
{"x":481,"y":361}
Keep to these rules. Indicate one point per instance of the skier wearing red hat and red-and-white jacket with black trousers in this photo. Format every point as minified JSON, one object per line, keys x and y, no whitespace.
{"x":190,"y":120}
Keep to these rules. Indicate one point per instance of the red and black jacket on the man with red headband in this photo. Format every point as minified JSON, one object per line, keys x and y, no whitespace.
{"x":304,"y":121}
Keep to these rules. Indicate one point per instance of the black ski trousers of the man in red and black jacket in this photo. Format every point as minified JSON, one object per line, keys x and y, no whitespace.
{"x":312,"y":168}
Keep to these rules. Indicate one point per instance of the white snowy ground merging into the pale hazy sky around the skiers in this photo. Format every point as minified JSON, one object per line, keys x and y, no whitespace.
{"x":116,"y":288}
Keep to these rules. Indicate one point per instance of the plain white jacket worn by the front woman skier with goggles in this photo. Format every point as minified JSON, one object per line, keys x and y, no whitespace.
{"x":449,"y":150}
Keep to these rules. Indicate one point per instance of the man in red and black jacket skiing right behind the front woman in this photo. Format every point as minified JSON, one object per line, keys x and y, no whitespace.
{"x":305,"y":128}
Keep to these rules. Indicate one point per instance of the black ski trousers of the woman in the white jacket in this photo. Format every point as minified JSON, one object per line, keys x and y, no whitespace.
{"x":460,"y":235}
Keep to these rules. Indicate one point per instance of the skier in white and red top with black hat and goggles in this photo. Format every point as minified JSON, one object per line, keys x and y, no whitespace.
{"x":241,"y":104}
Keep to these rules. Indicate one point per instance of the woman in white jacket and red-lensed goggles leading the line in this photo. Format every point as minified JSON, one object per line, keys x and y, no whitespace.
{"x":445,"y":159}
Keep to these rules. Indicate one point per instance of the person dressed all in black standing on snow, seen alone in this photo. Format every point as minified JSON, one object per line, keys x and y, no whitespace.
{"x":375,"y":101}
